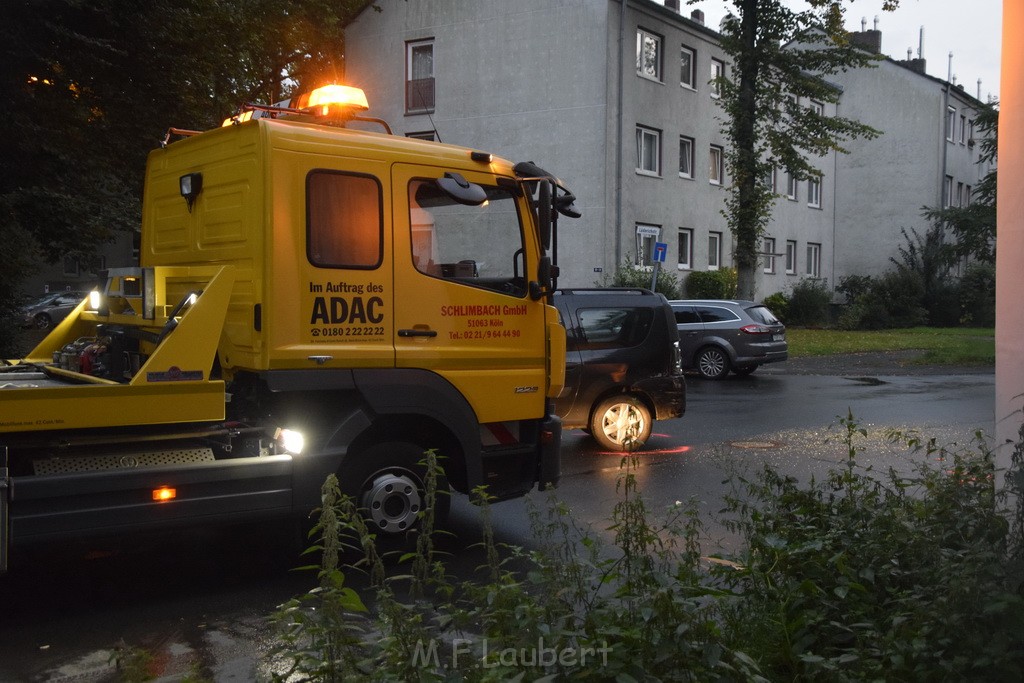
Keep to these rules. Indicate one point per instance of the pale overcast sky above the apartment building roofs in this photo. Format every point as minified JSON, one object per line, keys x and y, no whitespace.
{"x":969,"y":29}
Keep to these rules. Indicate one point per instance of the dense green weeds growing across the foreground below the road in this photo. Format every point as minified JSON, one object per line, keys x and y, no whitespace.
{"x":861,"y":577}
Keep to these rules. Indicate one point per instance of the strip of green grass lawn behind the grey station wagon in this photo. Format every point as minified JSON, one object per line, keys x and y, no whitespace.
{"x":954,"y":347}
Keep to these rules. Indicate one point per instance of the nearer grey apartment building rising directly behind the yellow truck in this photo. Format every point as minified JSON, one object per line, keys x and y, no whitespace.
{"x":615,"y":98}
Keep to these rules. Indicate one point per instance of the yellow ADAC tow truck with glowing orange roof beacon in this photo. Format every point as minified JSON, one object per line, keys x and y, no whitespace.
{"x":313,"y":297}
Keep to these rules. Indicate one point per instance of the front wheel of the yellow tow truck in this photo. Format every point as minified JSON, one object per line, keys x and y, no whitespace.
{"x":387,"y":482}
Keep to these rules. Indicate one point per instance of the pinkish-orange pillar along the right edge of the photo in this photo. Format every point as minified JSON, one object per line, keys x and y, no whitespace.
{"x":1010,"y":232}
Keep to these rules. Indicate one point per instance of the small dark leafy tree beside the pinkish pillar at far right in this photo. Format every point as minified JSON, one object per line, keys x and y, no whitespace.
{"x":973,"y":227}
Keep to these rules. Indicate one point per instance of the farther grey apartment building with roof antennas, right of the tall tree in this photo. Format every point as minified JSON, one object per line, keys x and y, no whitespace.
{"x":928,"y":156}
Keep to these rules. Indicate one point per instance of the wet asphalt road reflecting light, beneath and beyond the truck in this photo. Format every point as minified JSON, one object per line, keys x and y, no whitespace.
{"x":198,"y":603}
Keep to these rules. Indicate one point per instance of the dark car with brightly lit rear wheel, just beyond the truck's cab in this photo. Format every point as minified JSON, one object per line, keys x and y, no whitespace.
{"x":622,"y":370}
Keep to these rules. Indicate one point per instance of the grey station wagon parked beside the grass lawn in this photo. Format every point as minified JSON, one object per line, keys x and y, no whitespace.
{"x":717,"y":335}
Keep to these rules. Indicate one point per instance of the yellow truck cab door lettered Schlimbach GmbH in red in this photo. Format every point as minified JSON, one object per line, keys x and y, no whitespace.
{"x":461,"y":307}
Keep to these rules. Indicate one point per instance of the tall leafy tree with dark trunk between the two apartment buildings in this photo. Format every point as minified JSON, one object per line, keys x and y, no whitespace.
{"x":781,"y":58}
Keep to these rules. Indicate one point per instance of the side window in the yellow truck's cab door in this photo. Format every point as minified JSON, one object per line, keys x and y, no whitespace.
{"x":481,"y":246}
